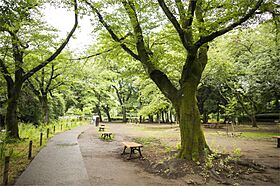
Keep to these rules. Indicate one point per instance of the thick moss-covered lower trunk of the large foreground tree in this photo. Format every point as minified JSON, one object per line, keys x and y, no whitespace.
{"x":193,"y":141}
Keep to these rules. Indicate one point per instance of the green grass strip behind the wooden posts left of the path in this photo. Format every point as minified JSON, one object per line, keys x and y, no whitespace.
{"x":18,"y":149}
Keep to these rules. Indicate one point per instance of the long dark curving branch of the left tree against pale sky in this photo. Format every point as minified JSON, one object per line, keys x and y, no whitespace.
{"x":59,"y":50}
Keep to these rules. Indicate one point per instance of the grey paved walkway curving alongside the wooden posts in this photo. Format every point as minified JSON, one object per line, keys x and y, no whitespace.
{"x":59,"y":163}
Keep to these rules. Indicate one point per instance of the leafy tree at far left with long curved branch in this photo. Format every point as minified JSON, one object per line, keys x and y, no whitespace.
{"x":16,"y":22}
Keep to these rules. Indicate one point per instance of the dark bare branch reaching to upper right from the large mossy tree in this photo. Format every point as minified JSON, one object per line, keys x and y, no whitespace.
{"x":213,"y":35}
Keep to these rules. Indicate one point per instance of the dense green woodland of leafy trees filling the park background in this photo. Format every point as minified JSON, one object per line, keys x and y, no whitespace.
{"x":148,"y":64}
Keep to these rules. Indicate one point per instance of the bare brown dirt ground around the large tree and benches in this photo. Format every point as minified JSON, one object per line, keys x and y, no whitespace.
{"x":258,"y":164}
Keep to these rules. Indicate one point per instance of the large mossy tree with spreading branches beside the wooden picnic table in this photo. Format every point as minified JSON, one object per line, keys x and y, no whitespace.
{"x":197,"y":26}
